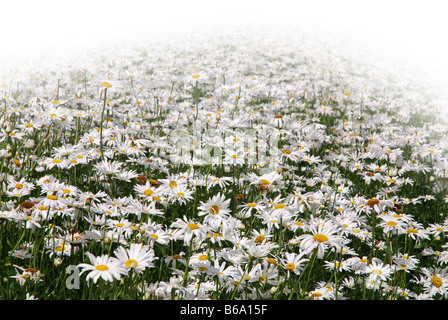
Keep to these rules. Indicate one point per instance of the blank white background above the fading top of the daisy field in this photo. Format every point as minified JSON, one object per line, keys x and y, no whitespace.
{"x":413,"y":33}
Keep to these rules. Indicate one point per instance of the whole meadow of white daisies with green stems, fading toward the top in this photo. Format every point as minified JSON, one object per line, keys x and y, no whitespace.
{"x":223,"y":168}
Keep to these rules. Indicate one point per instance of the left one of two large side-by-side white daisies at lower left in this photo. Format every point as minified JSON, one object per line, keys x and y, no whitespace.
{"x":103,"y":266}
